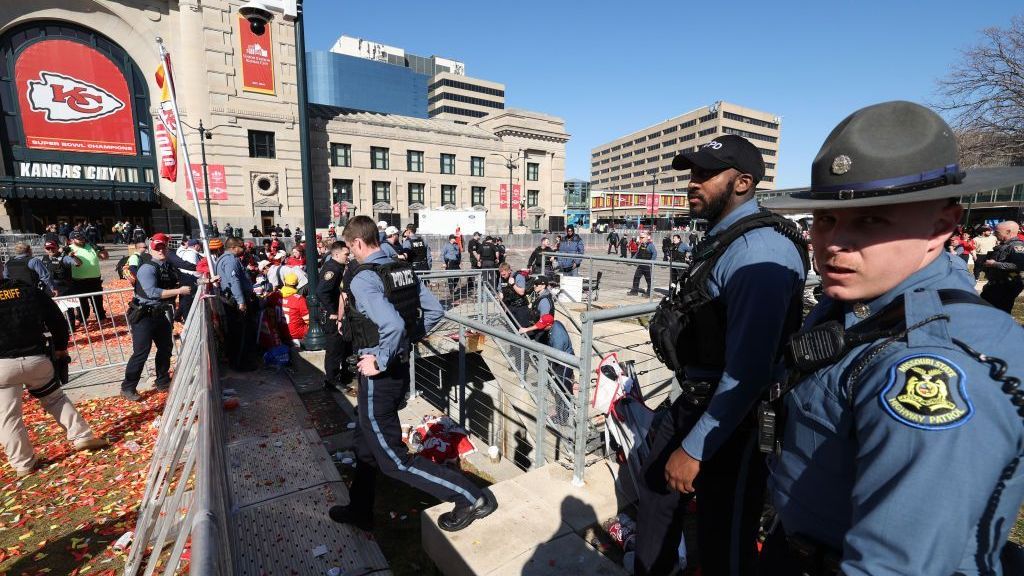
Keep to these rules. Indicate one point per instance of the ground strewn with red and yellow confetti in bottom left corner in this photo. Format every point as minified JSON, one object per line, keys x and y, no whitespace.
{"x":65,"y":518}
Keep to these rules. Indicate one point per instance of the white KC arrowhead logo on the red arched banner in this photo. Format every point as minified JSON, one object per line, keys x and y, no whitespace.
{"x":64,"y":99}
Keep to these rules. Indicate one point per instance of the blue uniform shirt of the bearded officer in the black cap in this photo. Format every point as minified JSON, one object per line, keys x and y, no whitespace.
{"x":757,"y":278}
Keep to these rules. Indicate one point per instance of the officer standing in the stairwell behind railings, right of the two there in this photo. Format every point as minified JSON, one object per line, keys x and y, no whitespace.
{"x":543,"y":327}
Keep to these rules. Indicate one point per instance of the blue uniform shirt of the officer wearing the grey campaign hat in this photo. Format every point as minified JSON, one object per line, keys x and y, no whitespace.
{"x":901,"y":468}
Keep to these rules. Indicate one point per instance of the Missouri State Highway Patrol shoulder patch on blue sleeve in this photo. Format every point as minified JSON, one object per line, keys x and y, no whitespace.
{"x":927,"y":392}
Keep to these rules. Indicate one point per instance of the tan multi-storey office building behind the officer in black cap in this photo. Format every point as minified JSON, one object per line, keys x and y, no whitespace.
{"x":639,"y":164}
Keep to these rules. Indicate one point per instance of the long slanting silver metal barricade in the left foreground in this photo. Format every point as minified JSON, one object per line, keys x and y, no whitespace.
{"x":187,"y":496}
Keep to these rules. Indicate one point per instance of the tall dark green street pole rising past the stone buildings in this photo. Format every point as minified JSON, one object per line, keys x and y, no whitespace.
{"x":316,"y":339}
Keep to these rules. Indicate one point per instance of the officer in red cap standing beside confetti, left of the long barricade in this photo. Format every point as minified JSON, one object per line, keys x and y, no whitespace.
{"x":151,"y":317}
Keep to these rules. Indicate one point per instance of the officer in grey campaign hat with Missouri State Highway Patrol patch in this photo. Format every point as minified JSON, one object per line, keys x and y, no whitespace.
{"x":902,"y":446}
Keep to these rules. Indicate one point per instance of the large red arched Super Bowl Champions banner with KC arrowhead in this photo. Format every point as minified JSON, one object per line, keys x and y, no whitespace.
{"x":74,"y":99}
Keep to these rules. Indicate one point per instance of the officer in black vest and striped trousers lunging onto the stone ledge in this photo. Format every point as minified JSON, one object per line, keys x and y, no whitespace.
{"x":387,"y":309}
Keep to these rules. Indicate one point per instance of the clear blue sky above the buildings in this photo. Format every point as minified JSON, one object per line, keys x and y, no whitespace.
{"x":613,"y":68}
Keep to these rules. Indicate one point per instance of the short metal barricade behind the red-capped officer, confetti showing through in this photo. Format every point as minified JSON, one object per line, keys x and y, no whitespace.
{"x":97,"y":345}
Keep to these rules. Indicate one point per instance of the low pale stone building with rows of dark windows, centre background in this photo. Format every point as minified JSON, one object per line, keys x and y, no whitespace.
{"x":392,"y":168}
